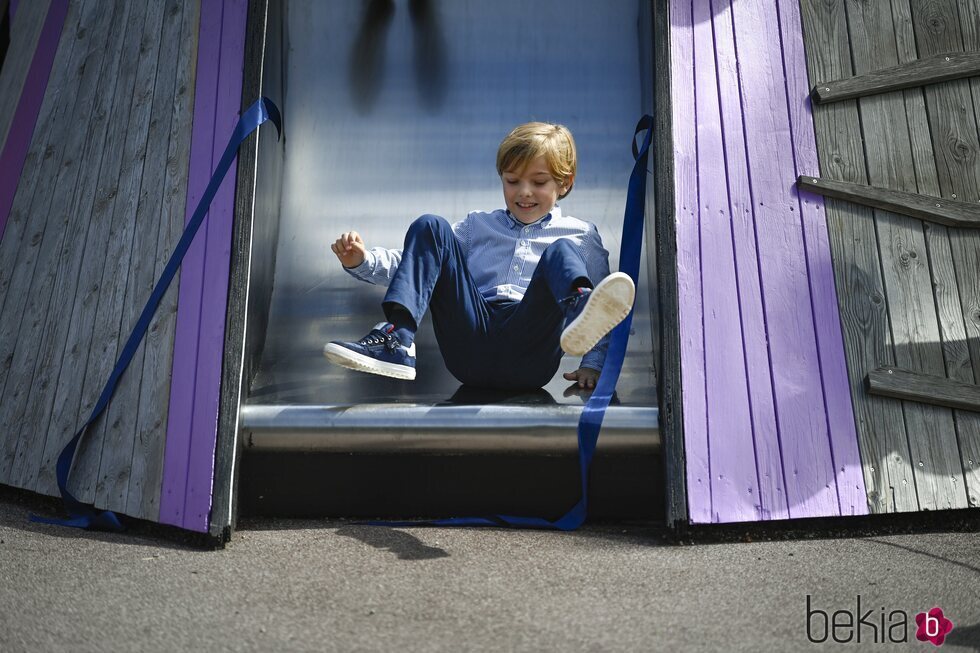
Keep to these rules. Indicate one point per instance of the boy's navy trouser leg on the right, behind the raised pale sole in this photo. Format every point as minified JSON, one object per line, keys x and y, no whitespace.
{"x":530,"y":330}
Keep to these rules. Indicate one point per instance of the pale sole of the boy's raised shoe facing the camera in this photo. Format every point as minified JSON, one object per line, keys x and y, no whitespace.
{"x":608,"y":305}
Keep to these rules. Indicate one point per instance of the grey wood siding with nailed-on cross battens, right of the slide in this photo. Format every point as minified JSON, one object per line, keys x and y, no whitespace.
{"x":910,"y":291}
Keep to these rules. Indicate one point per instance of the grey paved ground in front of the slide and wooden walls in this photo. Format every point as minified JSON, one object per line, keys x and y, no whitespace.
{"x":332,"y":586}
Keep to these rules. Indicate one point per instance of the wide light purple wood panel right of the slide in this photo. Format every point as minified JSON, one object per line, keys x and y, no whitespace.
{"x":769,"y":429}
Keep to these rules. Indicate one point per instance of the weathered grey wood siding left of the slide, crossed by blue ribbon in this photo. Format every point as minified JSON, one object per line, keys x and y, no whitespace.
{"x":98,"y":209}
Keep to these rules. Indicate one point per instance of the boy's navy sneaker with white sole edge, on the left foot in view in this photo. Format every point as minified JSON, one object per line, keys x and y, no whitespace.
{"x":379,"y":352}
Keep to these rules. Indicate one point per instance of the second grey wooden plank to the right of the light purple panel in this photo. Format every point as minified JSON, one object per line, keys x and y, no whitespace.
{"x":901,"y":243}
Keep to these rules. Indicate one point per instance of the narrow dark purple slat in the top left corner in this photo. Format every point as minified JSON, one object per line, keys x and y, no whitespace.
{"x":25,"y":116}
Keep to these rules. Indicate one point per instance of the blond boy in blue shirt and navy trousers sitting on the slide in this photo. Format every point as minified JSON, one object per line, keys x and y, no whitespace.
{"x":509,"y":290}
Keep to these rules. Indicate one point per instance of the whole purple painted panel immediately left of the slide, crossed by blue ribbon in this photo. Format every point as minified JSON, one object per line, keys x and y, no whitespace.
{"x":193,"y":413}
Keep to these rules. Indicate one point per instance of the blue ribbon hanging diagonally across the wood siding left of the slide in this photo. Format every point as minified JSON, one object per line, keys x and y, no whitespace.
{"x":82,"y":515}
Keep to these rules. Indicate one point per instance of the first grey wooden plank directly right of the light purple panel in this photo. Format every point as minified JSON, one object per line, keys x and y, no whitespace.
{"x":857,"y":267}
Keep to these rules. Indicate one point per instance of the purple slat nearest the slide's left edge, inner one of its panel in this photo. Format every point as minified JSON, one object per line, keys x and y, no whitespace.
{"x":200,"y":475}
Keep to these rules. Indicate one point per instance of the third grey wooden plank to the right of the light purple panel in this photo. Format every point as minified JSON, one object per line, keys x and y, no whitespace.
{"x":954,"y":129}
